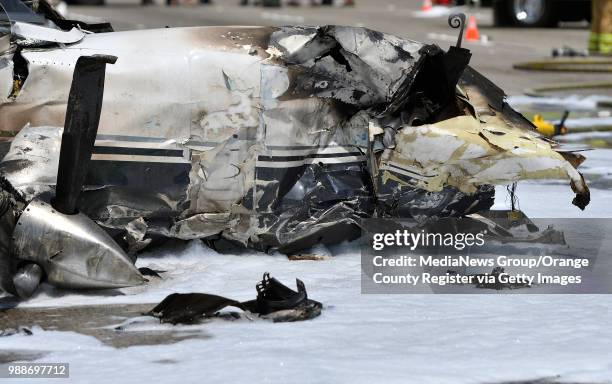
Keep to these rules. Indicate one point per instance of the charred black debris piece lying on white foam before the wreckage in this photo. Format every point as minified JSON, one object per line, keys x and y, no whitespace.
{"x":275,"y":302}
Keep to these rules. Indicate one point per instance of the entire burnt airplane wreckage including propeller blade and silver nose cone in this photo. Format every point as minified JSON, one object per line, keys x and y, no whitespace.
{"x":269,"y":137}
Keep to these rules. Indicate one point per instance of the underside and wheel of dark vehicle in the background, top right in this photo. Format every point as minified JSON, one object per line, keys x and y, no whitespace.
{"x":539,"y":13}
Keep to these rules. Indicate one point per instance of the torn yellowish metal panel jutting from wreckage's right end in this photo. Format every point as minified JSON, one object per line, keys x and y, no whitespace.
{"x":464,"y":153}
